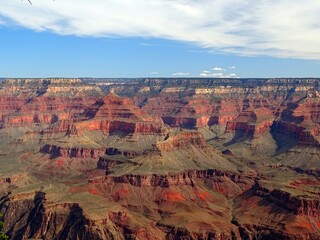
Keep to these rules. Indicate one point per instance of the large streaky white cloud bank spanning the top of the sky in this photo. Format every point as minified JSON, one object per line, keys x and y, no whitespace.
{"x":278,"y":28}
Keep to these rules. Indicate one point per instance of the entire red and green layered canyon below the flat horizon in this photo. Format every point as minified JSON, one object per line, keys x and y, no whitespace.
{"x":160,"y":158}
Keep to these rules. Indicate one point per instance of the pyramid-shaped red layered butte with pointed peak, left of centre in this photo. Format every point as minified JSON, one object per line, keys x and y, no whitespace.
{"x":113,"y":113}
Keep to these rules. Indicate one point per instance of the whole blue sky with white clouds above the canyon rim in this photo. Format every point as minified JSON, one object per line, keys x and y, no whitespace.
{"x":160,"y":38}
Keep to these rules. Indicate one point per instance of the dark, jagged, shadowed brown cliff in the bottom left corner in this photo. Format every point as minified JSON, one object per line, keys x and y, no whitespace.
{"x":38,"y":219}
